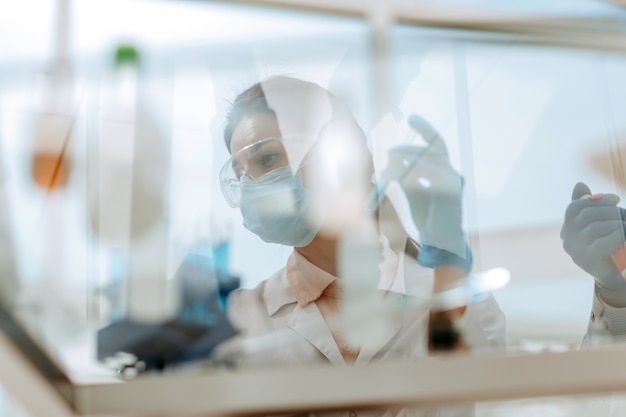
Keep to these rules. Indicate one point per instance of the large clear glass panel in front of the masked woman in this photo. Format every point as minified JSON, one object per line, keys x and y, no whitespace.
{"x":121,"y":251}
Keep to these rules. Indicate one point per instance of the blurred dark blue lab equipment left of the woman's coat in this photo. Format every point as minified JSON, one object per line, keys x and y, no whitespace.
{"x":131,"y":347}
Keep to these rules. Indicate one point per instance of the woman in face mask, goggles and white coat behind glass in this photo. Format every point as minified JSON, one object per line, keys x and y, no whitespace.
{"x":285,"y":135}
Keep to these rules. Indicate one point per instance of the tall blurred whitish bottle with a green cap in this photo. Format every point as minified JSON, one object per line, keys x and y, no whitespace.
{"x":130,"y":212}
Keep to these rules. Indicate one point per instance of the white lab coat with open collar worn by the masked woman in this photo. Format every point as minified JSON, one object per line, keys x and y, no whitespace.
{"x":297,"y":335}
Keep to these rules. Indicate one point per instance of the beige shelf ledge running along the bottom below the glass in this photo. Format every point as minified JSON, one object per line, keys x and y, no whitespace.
{"x":441,"y":379}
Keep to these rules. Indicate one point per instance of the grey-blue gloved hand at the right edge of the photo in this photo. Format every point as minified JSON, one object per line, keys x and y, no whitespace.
{"x":593,"y":228}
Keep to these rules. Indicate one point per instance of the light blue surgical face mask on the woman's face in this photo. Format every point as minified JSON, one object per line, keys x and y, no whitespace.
{"x":277,"y":208}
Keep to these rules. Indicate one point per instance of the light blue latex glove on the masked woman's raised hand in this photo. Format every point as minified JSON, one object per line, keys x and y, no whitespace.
{"x":434,"y":191}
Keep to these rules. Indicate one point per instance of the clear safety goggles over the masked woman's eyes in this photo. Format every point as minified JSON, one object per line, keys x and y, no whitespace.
{"x":259,"y":163}
